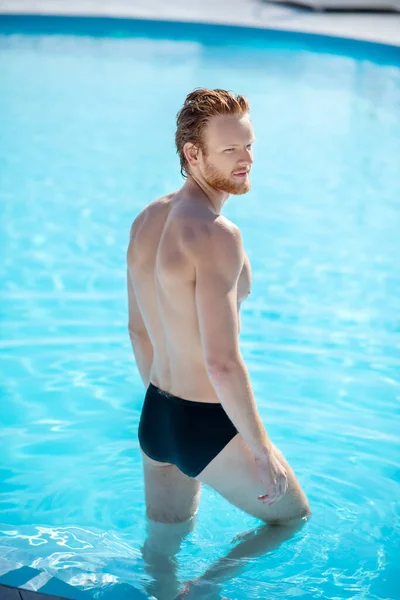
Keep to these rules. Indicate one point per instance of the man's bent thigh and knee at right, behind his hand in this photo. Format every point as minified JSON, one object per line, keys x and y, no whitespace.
{"x":233,"y":474}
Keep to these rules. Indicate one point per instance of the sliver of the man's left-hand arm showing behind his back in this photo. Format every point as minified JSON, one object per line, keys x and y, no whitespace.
{"x":141,"y":344}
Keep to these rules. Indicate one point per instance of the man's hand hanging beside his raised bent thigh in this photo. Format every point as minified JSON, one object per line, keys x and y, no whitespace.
{"x":273,"y":475}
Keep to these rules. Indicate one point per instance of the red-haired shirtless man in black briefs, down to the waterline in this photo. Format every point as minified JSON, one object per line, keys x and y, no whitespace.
{"x":187,"y":277}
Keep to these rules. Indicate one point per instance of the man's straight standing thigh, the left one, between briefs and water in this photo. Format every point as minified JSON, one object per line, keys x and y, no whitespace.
{"x":171,"y":496}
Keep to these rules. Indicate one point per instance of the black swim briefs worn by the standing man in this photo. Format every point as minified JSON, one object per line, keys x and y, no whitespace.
{"x":181,"y":432}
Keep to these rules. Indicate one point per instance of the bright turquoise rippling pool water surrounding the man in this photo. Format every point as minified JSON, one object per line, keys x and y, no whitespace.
{"x":86,"y":140}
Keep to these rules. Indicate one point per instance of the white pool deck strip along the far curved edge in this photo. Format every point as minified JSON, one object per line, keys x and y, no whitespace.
{"x":381,"y":28}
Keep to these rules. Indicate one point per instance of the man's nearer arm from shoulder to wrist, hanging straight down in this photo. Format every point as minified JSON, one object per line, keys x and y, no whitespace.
{"x":218,"y":258}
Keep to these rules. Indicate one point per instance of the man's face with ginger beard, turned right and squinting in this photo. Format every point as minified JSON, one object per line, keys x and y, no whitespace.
{"x":227,"y":156}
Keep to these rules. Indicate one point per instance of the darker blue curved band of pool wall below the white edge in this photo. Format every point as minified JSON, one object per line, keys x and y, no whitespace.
{"x":203,"y":33}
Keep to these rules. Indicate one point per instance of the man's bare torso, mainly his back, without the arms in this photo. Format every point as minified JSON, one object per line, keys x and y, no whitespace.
{"x":163,"y":278}
